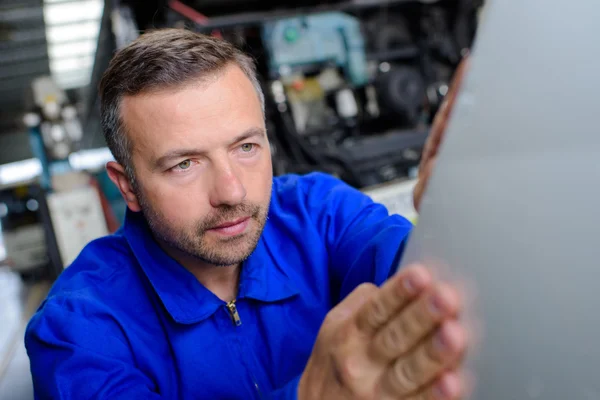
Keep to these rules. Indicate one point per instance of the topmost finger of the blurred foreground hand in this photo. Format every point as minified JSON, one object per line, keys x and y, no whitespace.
{"x":394,"y":295}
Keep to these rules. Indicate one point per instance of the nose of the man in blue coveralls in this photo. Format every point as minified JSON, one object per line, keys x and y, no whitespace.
{"x":228,"y":188}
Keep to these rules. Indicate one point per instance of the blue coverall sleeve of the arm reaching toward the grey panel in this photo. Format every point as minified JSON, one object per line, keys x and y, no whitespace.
{"x":363,"y":241}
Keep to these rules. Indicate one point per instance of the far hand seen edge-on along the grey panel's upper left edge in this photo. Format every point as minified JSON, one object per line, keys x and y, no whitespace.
{"x":436,"y":135}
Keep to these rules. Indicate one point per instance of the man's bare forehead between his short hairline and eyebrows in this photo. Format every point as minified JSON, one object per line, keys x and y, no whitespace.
{"x":206,"y":113}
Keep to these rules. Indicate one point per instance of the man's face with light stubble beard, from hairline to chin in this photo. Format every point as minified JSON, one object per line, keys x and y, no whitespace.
{"x":202,"y":166}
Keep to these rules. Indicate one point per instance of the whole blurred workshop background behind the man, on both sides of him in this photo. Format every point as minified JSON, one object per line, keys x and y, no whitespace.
{"x":352,"y":87}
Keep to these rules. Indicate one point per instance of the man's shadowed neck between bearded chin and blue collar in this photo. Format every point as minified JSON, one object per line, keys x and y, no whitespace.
{"x":222,"y":281}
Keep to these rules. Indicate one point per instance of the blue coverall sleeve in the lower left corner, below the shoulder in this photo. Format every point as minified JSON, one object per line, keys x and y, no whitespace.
{"x":76,"y":357}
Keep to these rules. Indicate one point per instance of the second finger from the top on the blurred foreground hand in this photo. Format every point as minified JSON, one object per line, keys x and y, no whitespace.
{"x":415,"y":322}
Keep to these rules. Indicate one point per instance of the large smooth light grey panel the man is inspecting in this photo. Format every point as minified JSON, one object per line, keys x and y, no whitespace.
{"x":512,"y":211}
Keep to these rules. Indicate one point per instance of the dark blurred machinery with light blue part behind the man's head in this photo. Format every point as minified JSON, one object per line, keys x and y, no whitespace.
{"x":351,"y":86}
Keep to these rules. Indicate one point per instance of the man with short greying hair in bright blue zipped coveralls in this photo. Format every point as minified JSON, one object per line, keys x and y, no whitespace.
{"x":225,"y":283}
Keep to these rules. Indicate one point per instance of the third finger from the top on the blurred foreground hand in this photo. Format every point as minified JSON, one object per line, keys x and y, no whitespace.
{"x":430,"y":360}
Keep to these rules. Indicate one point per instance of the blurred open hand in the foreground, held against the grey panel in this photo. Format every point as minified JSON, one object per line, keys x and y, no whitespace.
{"x":401,"y":341}
